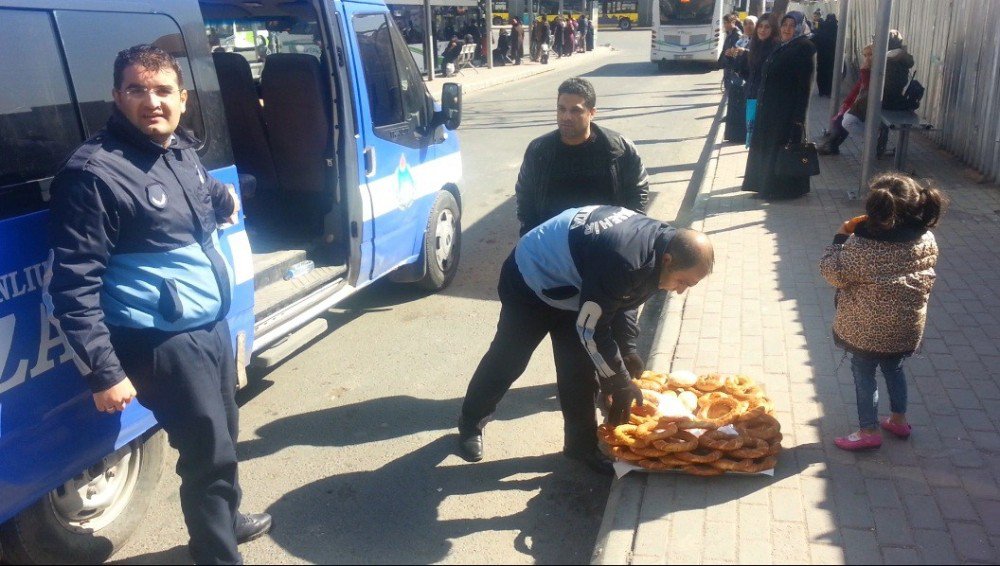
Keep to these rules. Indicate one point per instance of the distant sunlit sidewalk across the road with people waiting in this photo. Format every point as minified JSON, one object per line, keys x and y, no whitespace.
{"x":479,"y":78}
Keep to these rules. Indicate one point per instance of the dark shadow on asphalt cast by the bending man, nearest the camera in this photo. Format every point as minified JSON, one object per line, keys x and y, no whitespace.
{"x":393,"y":515}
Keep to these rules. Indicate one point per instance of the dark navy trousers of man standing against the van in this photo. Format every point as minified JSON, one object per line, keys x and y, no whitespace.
{"x":188,"y":380}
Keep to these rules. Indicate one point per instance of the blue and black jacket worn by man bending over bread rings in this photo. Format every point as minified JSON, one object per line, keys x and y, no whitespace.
{"x":601,"y":261}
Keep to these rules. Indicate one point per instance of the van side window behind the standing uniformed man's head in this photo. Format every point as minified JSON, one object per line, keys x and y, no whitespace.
{"x":92,"y":42}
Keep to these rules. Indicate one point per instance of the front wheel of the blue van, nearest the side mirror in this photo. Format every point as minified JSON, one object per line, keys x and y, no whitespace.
{"x":442,"y":242}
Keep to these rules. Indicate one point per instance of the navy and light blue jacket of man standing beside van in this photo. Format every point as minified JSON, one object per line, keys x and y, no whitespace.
{"x":134,"y":244}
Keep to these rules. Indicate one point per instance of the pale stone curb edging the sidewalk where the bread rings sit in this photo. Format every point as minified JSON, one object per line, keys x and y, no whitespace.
{"x":616,"y":535}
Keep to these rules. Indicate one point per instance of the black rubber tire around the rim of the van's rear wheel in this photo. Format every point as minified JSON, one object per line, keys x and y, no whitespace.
{"x":40,"y":534}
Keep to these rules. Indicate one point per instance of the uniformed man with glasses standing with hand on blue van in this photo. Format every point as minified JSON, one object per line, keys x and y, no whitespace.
{"x":140,"y":290}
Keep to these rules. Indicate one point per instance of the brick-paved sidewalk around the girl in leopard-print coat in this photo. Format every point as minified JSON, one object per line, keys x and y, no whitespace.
{"x":767,"y":312}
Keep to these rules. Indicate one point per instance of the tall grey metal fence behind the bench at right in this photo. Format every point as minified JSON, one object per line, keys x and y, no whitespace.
{"x":956,"y":51}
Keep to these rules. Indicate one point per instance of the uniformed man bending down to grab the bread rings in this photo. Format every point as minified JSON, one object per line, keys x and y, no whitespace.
{"x":573,"y":277}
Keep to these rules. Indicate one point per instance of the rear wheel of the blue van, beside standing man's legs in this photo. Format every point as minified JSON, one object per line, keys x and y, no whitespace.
{"x":91,"y":516}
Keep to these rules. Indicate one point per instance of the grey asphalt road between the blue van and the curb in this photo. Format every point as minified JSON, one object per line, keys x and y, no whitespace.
{"x":350,"y":443}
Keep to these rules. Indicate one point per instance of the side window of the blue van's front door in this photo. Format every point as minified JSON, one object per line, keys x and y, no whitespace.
{"x":381,"y":78}
